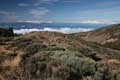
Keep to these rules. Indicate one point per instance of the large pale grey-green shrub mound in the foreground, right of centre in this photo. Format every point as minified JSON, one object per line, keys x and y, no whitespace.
{"x":81,"y":65}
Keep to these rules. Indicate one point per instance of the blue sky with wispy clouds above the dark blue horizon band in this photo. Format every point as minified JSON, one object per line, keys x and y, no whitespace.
{"x":60,"y":11}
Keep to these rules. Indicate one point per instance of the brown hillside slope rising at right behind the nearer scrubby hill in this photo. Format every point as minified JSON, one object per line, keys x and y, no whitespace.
{"x":107,"y":36}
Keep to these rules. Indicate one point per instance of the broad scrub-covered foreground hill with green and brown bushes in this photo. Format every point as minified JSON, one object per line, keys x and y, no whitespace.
{"x":56,"y":56}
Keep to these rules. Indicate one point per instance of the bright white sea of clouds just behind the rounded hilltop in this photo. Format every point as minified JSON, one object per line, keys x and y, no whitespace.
{"x":62,"y":30}
